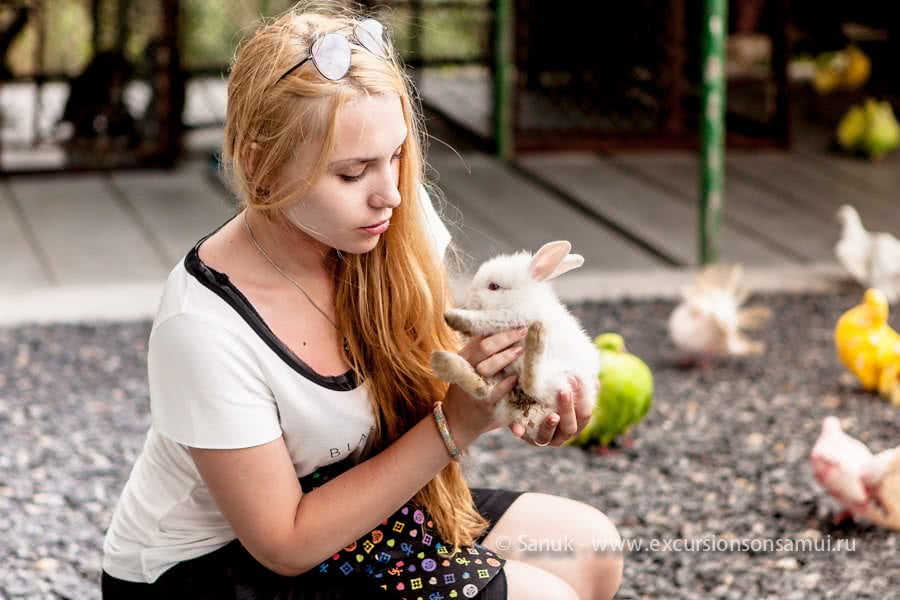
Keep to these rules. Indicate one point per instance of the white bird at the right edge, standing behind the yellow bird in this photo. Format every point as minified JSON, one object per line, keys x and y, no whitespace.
{"x":873,"y":259}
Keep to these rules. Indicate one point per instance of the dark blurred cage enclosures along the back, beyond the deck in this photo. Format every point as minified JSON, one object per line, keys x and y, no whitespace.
{"x":100,"y":84}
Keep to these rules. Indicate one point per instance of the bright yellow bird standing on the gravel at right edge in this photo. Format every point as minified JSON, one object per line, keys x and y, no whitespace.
{"x":868,"y":346}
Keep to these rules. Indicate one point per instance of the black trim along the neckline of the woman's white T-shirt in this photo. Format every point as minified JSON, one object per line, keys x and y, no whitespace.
{"x":220,"y":284}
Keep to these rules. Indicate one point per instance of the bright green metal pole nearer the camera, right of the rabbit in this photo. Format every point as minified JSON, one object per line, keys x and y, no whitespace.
{"x":712,"y":147}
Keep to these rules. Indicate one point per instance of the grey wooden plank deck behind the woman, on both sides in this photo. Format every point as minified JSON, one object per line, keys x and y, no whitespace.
{"x":624,"y":212}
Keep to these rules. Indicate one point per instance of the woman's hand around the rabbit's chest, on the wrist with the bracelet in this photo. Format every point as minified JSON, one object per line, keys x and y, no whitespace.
{"x":488,"y":355}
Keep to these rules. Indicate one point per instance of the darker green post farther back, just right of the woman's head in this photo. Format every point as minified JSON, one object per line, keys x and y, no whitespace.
{"x":504,"y":74}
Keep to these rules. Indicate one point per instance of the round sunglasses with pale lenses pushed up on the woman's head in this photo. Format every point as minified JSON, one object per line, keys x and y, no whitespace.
{"x":330,"y":52}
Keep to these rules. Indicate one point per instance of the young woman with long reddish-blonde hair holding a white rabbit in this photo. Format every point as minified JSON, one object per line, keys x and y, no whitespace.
{"x":300,"y":446}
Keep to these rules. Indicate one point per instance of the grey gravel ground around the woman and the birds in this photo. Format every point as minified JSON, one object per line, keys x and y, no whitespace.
{"x":722,"y":455}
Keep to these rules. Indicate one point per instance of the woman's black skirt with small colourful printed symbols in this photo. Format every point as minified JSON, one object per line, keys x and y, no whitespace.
{"x":398,"y":560}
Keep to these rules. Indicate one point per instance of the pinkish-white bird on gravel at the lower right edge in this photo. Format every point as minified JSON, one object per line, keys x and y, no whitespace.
{"x":865,"y":485}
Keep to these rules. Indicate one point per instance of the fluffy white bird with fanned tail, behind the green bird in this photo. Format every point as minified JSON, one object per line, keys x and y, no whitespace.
{"x":709,"y":321}
